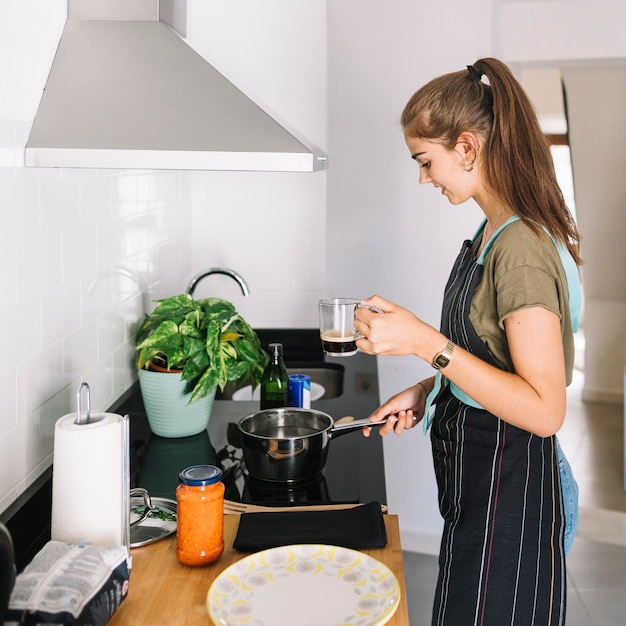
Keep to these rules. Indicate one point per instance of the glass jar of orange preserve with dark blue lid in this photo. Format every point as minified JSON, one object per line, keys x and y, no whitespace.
{"x":200,"y":531}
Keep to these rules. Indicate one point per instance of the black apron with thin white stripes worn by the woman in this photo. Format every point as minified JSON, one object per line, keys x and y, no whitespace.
{"x":502,"y":560}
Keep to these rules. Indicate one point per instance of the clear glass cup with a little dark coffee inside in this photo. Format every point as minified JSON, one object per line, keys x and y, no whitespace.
{"x":337,"y":330}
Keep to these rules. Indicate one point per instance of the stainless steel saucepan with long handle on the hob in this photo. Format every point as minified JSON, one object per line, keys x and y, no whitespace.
{"x":290,"y":444}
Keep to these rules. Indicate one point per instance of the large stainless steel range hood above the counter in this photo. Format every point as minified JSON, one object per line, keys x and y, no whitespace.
{"x":125,"y":91}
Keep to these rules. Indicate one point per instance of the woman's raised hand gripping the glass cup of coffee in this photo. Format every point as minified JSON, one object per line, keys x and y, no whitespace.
{"x":394,"y":330}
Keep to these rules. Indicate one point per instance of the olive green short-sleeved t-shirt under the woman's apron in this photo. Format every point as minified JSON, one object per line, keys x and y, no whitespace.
{"x":523,"y":269}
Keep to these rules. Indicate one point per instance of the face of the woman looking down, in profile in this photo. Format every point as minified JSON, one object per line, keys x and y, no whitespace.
{"x":444,"y":168}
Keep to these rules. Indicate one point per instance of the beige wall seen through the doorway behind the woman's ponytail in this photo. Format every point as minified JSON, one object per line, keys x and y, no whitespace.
{"x":597,"y":127}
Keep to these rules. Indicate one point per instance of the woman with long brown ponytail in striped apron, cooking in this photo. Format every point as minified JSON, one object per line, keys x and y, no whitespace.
{"x":504,"y":353}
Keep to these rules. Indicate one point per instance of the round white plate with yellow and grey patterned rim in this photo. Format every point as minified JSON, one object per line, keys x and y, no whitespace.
{"x":308,"y":585}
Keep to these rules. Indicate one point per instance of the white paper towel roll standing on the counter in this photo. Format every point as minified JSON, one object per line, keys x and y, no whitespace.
{"x":88,"y":480}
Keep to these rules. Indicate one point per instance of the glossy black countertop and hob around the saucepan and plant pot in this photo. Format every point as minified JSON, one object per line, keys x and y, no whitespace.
{"x":354,"y":470}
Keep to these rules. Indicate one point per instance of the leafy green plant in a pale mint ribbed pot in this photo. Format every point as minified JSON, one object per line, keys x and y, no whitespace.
{"x":187,"y":348}
